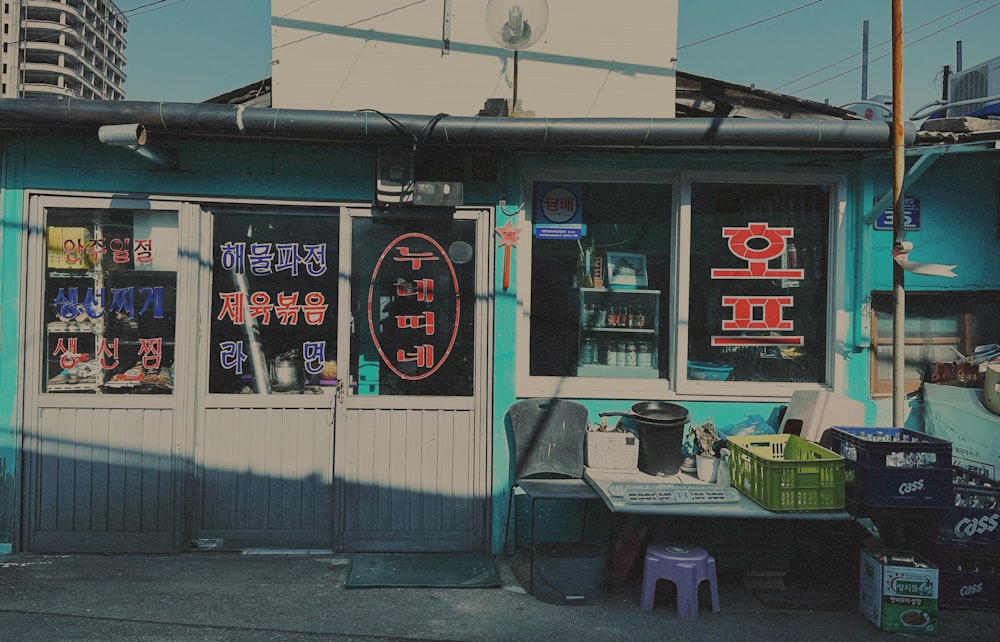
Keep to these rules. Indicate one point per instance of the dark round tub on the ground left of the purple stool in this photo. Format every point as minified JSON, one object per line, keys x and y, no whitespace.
{"x":570,"y":572}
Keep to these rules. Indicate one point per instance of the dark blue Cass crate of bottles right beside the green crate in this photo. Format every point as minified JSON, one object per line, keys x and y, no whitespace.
{"x":894,"y":467}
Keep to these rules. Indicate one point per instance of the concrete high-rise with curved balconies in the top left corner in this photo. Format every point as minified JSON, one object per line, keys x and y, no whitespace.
{"x":62,"y":49}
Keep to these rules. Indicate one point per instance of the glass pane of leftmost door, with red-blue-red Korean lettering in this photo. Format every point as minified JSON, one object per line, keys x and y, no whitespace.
{"x":111,"y":299}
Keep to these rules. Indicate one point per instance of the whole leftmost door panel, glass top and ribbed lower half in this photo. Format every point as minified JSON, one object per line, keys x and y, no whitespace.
{"x":102,"y":449}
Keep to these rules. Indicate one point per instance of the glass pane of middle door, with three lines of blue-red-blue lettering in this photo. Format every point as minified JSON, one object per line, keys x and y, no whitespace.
{"x":274,"y":302}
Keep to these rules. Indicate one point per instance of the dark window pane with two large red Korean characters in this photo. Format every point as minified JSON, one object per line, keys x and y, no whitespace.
{"x":757,"y":307}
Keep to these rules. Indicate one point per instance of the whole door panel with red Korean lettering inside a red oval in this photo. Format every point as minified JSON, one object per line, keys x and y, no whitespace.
{"x":413,"y":433}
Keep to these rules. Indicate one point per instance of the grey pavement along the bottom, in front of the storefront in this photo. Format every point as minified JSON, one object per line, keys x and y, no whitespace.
{"x":232,"y":596}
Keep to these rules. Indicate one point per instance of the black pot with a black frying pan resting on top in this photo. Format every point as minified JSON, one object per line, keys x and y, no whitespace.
{"x":660,"y":426}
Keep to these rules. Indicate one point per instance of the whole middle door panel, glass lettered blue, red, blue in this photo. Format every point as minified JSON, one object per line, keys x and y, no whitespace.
{"x":264,"y":441}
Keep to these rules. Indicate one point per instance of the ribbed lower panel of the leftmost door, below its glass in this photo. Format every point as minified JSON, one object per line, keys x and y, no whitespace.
{"x":103,"y":480}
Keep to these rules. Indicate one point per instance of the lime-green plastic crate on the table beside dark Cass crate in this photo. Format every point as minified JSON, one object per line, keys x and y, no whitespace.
{"x":786,"y":472}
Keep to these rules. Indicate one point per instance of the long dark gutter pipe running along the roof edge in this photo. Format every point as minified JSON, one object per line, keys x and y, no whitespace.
{"x":369,"y":126}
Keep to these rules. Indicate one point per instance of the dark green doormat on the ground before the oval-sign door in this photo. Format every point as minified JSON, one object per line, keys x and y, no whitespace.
{"x":422,"y":570}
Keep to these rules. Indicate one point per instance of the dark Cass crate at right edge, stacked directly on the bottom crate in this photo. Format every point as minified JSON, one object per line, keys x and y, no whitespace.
{"x":974,"y":517}
